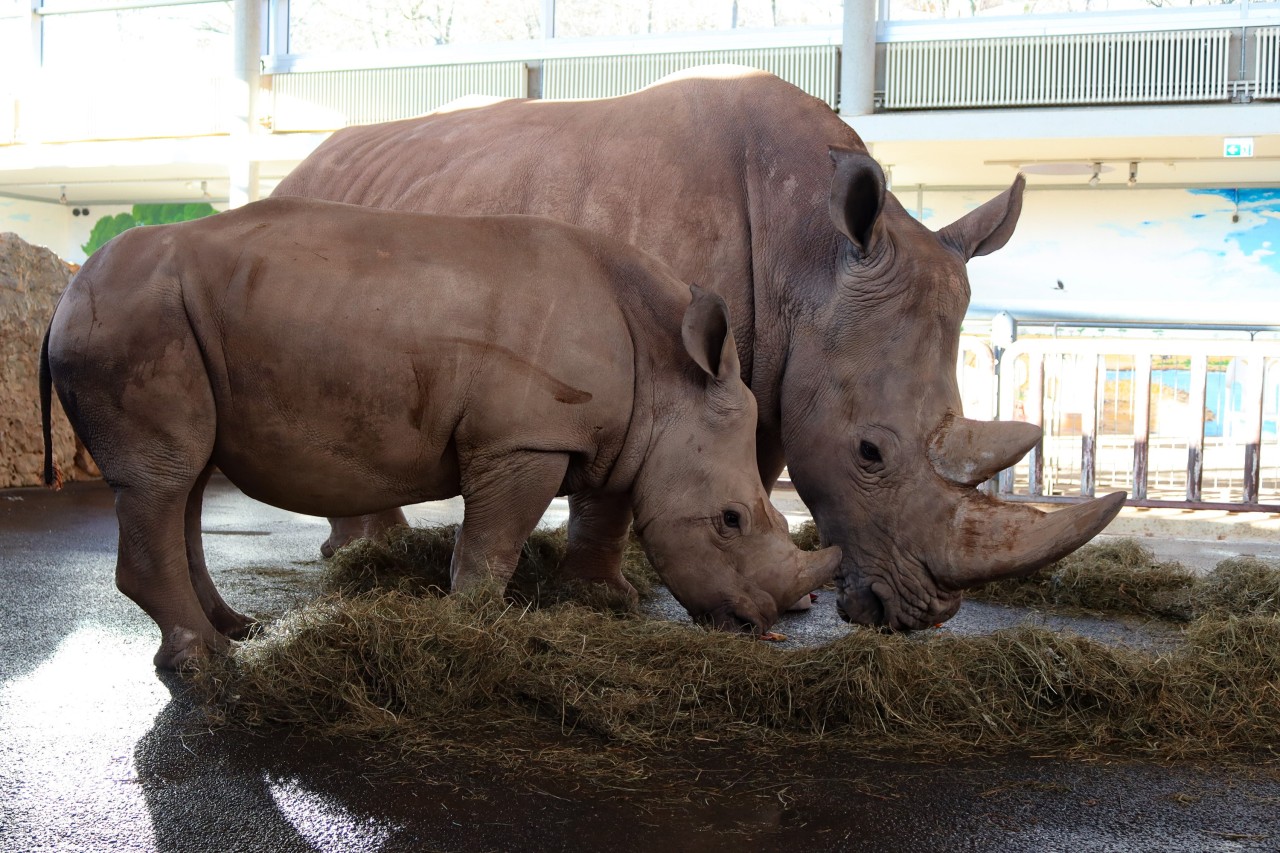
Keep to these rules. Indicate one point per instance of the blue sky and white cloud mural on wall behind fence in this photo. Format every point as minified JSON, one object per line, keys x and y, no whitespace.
{"x":1163,"y":256}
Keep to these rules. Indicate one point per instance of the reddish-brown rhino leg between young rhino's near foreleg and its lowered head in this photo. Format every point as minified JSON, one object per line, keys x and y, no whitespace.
{"x":598,"y":530}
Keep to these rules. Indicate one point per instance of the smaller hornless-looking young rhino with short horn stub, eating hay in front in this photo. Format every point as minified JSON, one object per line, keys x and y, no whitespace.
{"x":340,"y":361}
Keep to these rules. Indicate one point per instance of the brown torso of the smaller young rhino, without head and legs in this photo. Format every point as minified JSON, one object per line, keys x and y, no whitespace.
{"x":386,"y":350}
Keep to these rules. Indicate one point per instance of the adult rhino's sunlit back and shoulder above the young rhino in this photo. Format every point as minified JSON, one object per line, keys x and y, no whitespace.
{"x":723,"y":174}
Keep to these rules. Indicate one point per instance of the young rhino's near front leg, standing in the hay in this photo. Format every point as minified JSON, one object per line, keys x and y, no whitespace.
{"x":504,"y":500}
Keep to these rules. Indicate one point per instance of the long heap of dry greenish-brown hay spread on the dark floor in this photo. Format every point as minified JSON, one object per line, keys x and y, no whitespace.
{"x":487,"y":678}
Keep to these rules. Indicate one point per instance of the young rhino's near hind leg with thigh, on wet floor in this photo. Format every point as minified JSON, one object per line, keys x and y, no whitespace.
{"x":153,"y":439}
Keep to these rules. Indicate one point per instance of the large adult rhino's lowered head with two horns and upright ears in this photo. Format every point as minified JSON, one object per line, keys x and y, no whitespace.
{"x":875,"y":437}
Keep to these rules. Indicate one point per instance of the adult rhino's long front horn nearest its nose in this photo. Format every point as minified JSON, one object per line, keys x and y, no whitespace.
{"x":994,"y":540}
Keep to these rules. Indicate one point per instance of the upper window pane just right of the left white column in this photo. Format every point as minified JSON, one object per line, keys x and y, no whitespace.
{"x":401,"y":25}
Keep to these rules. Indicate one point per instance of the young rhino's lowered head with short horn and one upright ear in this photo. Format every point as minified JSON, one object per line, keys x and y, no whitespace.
{"x":701,"y":512}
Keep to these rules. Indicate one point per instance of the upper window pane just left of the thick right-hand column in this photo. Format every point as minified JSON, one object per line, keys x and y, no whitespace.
{"x":609,"y":19}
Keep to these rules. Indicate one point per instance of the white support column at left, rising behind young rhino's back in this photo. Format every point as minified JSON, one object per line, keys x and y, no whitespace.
{"x":244,"y":166}
